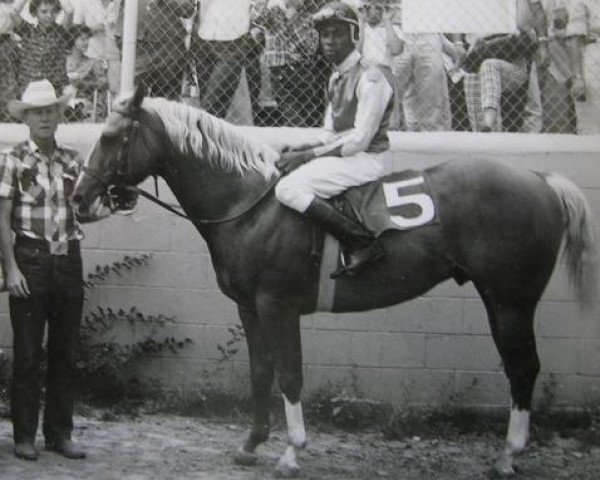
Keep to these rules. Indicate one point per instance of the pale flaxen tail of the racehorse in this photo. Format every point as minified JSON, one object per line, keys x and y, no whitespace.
{"x":579,"y":247}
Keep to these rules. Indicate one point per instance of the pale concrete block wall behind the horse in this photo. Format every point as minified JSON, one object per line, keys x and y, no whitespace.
{"x":433,"y":350}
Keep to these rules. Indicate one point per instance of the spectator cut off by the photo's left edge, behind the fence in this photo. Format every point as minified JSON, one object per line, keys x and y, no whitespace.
{"x":9,"y":15}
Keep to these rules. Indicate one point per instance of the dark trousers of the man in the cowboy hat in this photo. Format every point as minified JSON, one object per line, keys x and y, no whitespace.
{"x":56,"y":286}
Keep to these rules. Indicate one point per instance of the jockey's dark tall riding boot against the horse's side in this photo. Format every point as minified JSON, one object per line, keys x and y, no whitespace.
{"x":364,"y":247}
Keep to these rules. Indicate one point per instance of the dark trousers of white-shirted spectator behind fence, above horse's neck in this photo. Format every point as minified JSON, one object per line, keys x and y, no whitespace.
{"x":219,"y":68}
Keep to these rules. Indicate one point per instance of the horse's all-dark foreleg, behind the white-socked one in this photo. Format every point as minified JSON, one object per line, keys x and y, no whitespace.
{"x":261,"y":375}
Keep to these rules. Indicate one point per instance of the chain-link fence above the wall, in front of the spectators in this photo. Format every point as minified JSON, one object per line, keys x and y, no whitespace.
{"x":258,"y":61}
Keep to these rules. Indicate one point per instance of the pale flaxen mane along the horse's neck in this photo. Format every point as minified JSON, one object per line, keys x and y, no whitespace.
{"x":192,"y":130}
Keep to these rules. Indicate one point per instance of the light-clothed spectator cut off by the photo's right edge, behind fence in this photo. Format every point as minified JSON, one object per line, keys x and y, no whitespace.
{"x":583,"y":32}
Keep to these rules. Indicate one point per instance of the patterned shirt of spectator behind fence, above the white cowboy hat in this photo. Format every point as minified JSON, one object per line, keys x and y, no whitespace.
{"x":43,"y":55}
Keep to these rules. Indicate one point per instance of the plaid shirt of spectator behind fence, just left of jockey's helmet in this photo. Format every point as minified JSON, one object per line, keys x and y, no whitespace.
{"x":287,"y":41}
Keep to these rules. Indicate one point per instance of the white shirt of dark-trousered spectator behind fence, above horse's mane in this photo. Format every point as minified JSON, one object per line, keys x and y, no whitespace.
{"x":224,"y":20}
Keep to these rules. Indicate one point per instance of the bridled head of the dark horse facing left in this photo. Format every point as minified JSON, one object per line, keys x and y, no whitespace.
{"x":124,"y":154}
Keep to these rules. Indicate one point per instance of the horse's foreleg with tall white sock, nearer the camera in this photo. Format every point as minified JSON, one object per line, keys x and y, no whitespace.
{"x":283,"y":327}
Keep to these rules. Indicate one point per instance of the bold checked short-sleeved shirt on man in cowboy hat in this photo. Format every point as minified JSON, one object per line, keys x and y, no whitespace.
{"x":40,"y":187}
